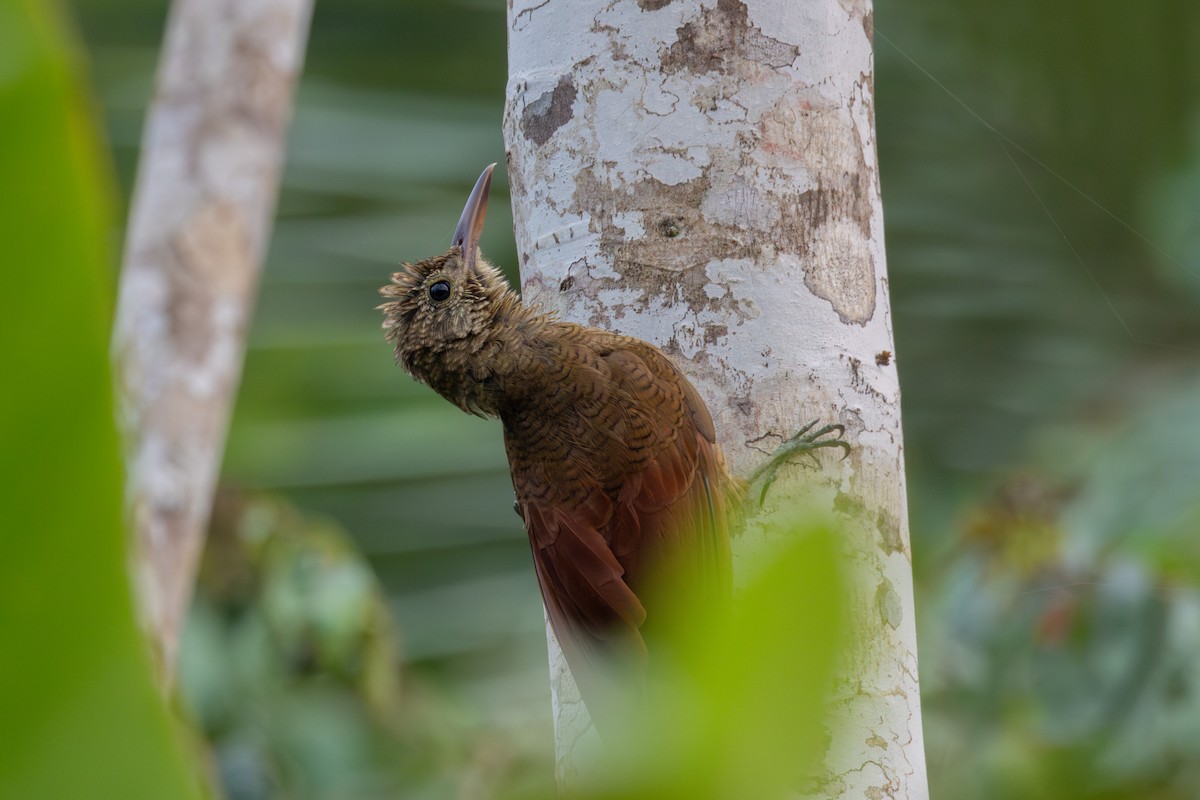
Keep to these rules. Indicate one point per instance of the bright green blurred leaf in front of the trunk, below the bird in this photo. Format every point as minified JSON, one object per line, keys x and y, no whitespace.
{"x":742,"y":713}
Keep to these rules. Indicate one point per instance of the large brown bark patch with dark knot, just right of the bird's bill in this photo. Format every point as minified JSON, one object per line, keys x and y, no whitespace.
{"x":668,"y":261}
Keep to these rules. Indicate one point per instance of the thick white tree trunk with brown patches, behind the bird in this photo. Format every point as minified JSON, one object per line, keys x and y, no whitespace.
{"x":704,"y":176}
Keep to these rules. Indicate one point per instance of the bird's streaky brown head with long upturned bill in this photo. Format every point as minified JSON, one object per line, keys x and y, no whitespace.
{"x":442,"y":303}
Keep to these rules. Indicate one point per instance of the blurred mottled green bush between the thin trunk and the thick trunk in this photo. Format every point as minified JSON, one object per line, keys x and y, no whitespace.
{"x":290,"y":671}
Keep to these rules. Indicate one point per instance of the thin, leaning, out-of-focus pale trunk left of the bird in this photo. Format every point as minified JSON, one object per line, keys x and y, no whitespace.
{"x":208,"y":182}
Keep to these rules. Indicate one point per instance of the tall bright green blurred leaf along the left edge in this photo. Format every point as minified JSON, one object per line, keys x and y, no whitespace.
{"x":80,"y":715}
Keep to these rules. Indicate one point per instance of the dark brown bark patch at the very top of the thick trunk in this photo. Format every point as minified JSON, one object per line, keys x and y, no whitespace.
{"x":722,"y":38}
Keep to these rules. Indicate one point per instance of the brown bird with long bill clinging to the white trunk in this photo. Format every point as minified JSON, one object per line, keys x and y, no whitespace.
{"x":614,"y":456}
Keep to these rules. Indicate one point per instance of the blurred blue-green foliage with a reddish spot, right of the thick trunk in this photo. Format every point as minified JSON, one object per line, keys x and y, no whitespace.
{"x":1066,"y":664}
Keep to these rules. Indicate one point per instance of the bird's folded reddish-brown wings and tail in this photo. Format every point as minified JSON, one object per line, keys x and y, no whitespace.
{"x":657,"y":498}
